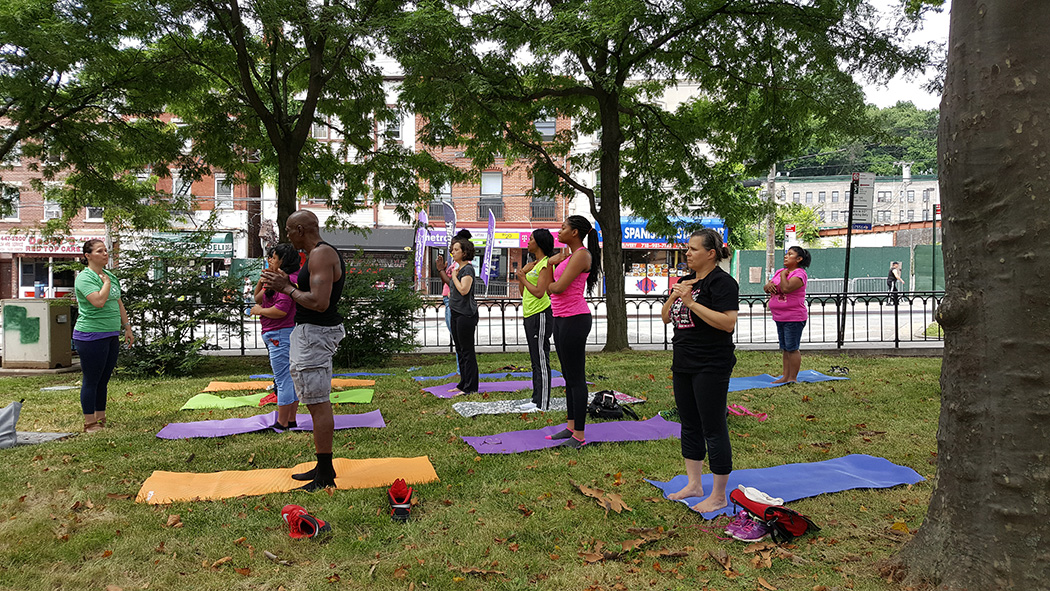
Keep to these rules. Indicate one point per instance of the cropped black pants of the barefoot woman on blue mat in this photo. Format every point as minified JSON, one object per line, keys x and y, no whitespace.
{"x":702,"y":407}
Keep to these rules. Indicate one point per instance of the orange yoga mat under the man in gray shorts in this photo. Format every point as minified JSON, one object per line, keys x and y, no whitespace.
{"x":165,"y":488}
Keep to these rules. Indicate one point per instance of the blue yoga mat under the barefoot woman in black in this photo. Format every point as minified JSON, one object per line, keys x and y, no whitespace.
{"x":792,"y":482}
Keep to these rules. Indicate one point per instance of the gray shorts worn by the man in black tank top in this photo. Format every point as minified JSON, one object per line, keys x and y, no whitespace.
{"x":311,"y":361}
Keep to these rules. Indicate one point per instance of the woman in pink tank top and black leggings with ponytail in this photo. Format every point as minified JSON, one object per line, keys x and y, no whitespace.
{"x":574,"y":268}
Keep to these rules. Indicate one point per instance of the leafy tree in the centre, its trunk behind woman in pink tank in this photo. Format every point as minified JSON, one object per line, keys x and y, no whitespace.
{"x":759,"y":77}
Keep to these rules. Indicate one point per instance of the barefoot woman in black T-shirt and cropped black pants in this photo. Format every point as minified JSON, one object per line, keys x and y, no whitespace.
{"x":703,"y":307}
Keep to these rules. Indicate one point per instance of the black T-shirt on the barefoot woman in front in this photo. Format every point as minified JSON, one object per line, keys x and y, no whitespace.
{"x":700,"y":347}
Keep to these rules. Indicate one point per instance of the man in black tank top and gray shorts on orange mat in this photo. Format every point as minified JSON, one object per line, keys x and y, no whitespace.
{"x":319,"y":330}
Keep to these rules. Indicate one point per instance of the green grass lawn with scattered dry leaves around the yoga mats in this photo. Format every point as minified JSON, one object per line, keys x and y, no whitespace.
{"x":493,"y":522}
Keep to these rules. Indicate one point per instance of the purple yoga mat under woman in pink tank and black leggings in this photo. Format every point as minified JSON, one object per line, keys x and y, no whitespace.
{"x":515,"y":442}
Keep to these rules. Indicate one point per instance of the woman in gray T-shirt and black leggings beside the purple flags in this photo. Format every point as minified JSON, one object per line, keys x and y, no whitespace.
{"x":465,"y":314}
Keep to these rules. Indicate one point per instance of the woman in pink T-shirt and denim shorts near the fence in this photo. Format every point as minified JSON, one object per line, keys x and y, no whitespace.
{"x":787,"y":291}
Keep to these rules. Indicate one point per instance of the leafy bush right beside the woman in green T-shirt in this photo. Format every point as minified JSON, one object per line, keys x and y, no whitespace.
{"x":172,"y":302}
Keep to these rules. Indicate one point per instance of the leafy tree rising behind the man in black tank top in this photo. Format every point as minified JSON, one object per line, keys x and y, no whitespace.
{"x":266,"y":74}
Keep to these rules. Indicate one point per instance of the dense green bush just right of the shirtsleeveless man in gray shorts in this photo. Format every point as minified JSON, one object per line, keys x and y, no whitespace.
{"x":377,"y":307}
